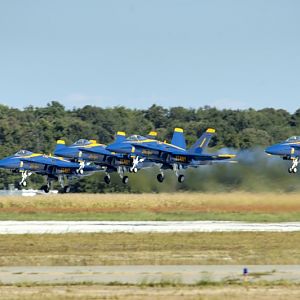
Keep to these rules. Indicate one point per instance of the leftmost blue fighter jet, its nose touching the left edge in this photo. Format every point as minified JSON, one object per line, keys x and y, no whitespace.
{"x":55,"y":168}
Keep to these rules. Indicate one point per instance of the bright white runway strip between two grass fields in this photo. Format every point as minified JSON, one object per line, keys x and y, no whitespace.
{"x":59,"y":227}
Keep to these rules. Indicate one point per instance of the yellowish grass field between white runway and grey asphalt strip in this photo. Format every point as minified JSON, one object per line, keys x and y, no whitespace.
{"x":150,"y":249}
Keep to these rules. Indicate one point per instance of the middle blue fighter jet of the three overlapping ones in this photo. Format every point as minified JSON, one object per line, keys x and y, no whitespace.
{"x":85,"y":151}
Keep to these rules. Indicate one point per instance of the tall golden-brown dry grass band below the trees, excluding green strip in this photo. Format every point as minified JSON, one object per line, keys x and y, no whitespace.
{"x":229,"y":202}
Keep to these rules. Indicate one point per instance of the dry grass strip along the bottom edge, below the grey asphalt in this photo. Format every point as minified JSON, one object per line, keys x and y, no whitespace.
{"x":135,"y":293}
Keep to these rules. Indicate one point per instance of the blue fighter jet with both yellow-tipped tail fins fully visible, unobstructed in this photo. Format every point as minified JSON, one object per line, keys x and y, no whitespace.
{"x":172,"y":156}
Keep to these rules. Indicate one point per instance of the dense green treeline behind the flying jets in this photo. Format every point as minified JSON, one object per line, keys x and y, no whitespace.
{"x":38,"y":128}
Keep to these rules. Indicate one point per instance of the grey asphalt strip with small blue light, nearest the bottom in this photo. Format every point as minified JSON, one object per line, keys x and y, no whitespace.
{"x":131,"y":274}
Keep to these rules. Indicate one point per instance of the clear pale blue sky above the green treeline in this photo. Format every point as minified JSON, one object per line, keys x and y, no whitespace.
{"x":135,"y":53}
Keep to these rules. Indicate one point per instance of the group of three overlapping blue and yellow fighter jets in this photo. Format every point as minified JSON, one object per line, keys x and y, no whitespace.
{"x":125,"y":155}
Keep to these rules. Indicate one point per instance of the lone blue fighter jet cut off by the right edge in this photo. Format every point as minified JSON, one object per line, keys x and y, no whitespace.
{"x":288,"y":150}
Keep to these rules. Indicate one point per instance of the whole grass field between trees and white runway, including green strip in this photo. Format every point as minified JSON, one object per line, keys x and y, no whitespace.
{"x":262,"y":207}
